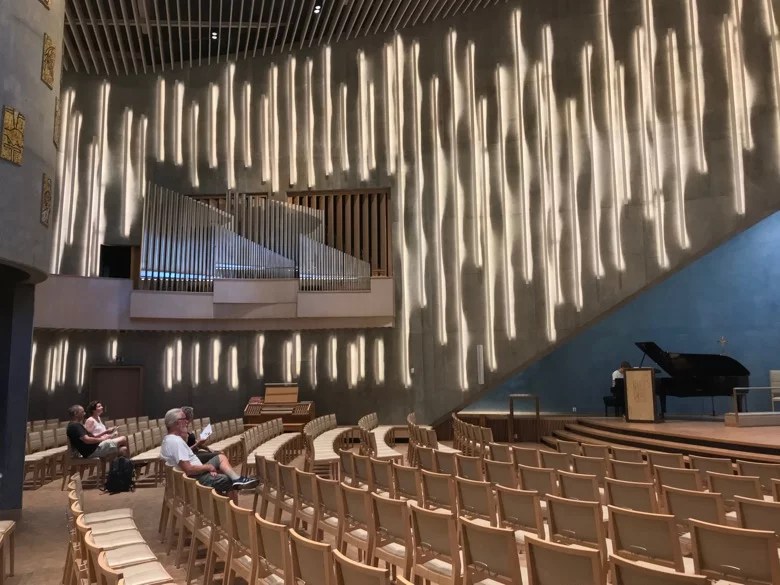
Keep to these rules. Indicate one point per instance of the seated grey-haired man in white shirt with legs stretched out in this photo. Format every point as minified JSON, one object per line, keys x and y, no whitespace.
{"x":217,"y":473}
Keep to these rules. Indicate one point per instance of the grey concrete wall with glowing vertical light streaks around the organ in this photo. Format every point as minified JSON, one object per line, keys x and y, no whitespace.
{"x":636,"y":151}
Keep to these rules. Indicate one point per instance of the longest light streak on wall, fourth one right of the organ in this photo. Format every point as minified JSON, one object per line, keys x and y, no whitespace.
{"x":458,"y":203}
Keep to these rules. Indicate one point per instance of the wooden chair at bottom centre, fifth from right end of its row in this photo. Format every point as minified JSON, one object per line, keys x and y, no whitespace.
{"x":391,"y":526}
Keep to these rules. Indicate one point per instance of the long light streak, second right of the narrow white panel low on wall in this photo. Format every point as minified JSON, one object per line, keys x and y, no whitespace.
{"x":507,"y":212}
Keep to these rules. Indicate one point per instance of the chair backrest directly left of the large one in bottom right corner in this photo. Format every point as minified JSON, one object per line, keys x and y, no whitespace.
{"x":645,"y":537}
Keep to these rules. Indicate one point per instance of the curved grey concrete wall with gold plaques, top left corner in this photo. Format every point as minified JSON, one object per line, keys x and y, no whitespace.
{"x":24,"y":242}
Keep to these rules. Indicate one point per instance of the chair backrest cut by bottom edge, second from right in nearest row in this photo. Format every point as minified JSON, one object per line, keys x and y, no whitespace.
{"x":553,"y":564}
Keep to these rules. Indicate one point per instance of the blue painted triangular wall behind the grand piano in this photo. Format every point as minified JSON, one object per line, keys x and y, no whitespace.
{"x":734,"y":292}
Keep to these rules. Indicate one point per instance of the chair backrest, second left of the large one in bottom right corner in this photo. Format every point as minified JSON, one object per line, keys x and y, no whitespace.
{"x":576,"y":522}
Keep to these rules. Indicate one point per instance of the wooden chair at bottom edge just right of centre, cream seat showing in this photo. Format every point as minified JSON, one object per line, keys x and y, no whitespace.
{"x":436,"y":550}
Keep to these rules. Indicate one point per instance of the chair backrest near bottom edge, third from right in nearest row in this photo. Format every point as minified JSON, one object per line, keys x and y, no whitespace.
{"x":490,"y":554}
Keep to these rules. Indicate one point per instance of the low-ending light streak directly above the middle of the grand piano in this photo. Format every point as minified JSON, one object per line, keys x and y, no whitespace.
{"x":681,"y":167}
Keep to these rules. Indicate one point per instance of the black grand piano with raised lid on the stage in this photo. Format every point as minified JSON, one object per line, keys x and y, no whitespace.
{"x":694,"y":374}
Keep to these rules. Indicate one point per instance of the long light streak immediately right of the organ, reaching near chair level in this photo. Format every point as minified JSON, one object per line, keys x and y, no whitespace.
{"x":404,"y":309}
